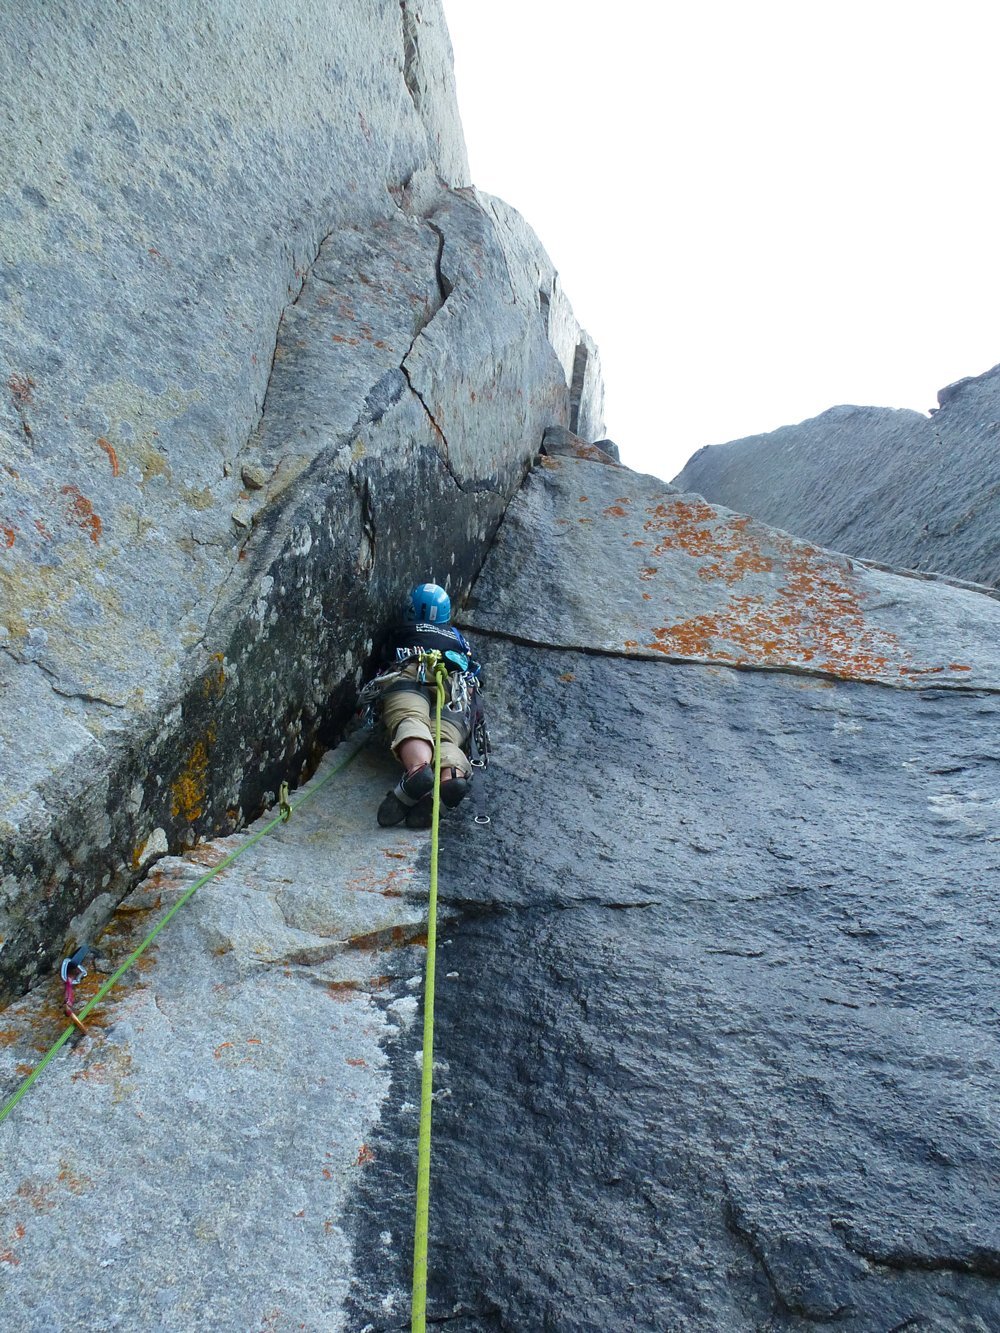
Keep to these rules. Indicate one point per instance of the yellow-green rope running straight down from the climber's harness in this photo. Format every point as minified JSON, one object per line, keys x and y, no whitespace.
{"x":423,"y":1204}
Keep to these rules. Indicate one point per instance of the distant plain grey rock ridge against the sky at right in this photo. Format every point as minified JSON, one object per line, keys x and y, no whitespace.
{"x":893,"y":486}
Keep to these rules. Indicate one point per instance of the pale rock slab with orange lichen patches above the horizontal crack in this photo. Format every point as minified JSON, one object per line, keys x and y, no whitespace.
{"x":646,"y":571}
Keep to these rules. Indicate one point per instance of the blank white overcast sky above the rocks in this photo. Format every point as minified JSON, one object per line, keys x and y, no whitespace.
{"x":759,"y":210}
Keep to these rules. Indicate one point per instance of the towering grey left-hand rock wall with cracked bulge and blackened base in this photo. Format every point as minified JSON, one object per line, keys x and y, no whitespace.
{"x":266,"y":358}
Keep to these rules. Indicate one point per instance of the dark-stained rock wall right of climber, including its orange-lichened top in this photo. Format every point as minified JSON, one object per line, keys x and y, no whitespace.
{"x":719,"y":1047}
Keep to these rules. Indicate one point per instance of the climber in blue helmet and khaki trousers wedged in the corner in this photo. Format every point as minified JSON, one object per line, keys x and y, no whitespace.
{"x":406,"y":690}
